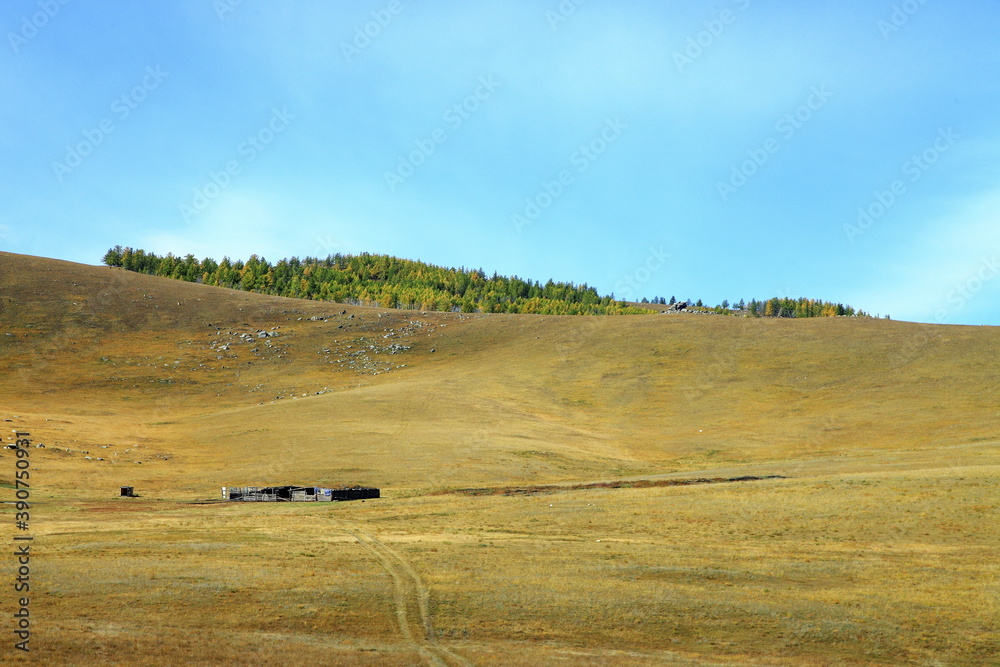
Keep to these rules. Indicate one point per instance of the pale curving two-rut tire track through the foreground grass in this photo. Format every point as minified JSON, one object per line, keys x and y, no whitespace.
{"x":412,"y":601}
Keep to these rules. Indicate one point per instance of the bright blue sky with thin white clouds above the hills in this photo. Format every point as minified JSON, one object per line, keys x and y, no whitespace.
{"x":718,"y":150}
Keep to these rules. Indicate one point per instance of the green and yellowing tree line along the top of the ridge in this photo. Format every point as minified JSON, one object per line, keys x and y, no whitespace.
{"x":390,"y":282}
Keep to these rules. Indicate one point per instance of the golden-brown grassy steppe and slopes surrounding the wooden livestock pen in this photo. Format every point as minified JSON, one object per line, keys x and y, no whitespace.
{"x":635,"y":490}
